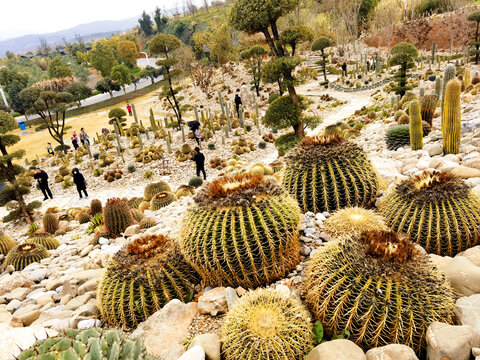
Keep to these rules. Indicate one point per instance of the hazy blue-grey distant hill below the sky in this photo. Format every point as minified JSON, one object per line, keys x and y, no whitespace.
{"x":93,"y":30}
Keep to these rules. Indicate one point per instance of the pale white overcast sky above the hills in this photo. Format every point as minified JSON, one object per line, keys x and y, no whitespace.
{"x":21,"y":17}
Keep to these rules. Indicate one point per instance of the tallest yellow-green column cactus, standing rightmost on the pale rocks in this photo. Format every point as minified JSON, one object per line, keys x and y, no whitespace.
{"x":451,"y":118}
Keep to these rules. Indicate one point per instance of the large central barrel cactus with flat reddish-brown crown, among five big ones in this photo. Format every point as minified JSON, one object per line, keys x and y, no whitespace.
{"x":242,"y":231}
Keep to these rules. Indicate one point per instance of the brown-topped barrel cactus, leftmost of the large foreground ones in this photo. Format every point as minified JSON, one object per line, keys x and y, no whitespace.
{"x":142,"y":277}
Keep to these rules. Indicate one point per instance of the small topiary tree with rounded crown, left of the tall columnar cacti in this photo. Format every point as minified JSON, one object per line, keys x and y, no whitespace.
{"x":403,"y":54}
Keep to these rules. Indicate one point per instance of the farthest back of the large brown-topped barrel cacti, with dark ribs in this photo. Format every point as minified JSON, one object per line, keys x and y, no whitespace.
{"x":328,"y":173}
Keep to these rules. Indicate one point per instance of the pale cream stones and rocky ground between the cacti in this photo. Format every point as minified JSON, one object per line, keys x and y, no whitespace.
{"x":60,"y":292}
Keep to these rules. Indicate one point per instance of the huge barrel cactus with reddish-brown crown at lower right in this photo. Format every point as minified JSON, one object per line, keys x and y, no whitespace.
{"x":380,"y":287}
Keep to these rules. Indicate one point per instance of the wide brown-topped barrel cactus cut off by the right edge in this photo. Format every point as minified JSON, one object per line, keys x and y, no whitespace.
{"x":435,"y":210}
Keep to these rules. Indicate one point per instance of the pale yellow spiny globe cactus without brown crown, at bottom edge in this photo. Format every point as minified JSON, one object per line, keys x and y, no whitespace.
{"x":263,"y":324}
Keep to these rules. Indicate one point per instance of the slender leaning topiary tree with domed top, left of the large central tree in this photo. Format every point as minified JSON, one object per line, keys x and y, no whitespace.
{"x":164,"y":45}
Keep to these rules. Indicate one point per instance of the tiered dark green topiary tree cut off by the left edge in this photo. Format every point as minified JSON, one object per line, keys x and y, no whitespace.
{"x":14,"y":188}
